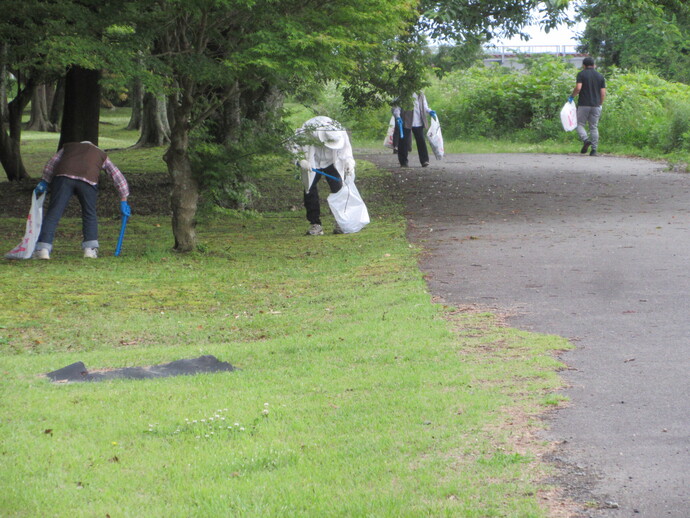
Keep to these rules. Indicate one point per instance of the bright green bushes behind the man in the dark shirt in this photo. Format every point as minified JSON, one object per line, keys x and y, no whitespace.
{"x":641,"y":109}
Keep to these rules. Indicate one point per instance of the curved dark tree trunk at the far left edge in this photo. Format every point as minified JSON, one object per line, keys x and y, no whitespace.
{"x":11,"y":134}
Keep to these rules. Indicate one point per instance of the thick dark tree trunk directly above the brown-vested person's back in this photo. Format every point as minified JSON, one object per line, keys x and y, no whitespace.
{"x":82,"y":106}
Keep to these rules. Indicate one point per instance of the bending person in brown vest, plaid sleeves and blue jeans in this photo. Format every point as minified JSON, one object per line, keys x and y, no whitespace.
{"x":74,"y":170}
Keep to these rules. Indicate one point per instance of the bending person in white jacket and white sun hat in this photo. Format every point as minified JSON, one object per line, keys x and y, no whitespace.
{"x":324,"y":150}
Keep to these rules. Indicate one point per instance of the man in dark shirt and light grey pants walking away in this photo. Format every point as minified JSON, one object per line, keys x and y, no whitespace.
{"x":590,"y":88}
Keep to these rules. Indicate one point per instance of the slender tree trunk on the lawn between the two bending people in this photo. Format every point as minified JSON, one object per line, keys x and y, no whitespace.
{"x":185,"y":190}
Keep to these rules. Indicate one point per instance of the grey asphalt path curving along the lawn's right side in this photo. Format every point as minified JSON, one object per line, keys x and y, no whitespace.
{"x":595,"y":249}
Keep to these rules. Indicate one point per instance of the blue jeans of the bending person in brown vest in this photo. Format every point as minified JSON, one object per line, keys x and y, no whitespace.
{"x":61,"y":190}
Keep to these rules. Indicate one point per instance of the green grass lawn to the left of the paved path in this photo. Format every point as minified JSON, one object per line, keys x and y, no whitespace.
{"x":355,"y":395}
